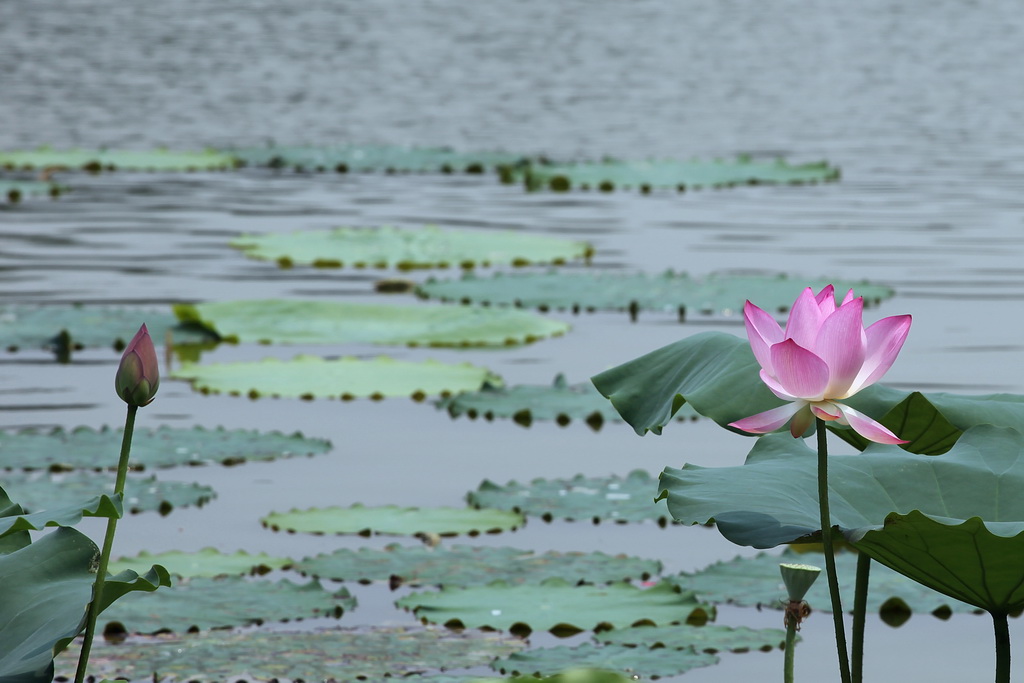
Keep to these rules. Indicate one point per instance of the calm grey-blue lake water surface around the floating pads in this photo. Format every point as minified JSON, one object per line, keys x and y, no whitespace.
{"x":921,"y":109}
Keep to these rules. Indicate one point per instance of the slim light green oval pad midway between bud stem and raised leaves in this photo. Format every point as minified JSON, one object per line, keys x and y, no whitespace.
{"x":395,"y":521}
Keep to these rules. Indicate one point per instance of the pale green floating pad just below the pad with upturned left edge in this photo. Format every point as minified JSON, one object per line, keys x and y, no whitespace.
{"x":313,"y":377}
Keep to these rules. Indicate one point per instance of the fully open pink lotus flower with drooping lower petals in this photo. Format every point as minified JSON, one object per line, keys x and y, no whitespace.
{"x":825,"y":356}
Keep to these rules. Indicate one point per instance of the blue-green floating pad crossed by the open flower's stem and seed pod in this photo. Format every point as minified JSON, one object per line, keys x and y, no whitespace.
{"x":755,"y":582}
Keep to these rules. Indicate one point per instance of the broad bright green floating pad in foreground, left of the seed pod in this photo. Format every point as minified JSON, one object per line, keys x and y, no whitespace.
{"x":557,"y":606}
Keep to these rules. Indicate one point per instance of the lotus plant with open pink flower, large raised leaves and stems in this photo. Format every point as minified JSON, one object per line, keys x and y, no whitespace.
{"x":927,"y":505}
